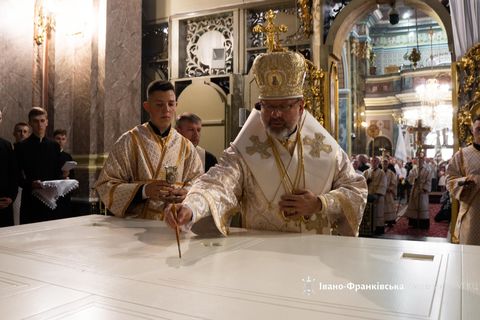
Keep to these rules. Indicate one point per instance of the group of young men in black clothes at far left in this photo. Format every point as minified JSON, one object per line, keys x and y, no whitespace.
{"x":32,"y":159}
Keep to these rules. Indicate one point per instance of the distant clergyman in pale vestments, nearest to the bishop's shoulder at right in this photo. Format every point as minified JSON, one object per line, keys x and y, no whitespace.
{"x":377,"y":187}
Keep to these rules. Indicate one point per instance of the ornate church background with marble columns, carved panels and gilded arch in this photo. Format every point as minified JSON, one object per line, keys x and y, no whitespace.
{"x":90,"y":63}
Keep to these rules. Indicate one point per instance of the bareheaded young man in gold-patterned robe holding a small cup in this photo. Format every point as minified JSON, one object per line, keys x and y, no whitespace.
{"x":133,"y":179}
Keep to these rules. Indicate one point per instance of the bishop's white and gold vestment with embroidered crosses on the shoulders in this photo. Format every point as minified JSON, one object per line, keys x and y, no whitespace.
{"x":248,"y":179}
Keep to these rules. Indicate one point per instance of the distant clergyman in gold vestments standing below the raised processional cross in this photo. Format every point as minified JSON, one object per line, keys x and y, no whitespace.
{"x":420,"y":177}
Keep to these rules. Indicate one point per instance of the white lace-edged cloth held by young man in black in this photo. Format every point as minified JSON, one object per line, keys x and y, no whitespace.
{"x":54,"y":189}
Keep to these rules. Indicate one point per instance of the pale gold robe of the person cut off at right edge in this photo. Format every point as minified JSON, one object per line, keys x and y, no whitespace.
{"x":466,"y":162}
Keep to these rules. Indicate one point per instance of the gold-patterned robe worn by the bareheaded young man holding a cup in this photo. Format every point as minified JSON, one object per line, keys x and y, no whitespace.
{"x":138,"y":157}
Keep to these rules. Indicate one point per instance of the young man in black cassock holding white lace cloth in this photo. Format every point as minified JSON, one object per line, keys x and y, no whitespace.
{"x":39,"y":159}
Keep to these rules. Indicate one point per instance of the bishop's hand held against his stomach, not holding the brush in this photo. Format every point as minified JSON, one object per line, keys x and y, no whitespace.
{"x":302,"y":203}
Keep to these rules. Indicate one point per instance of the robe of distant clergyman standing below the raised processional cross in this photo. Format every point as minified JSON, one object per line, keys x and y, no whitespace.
{"x":421,"y":180}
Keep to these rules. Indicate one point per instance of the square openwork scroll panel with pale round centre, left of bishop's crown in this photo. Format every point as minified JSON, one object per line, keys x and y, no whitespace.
{"x":202,"y":56}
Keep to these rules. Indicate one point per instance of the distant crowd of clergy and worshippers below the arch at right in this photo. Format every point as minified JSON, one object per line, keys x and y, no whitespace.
{"x":393,"y":183}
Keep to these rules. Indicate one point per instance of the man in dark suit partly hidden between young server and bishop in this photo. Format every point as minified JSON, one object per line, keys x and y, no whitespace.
{"x":189,"y":125}
